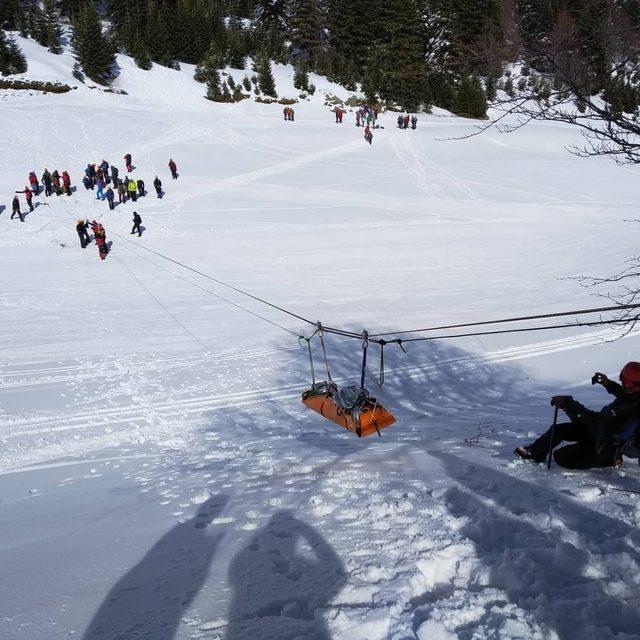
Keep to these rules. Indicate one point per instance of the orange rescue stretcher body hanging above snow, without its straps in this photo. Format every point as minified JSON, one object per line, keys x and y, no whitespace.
{"x":352,"y":408}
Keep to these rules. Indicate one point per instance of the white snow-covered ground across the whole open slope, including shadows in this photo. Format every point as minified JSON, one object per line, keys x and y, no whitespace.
{"x":159,"y":477}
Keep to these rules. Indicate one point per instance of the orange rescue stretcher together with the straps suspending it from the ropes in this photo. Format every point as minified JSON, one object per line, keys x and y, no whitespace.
{"x":351,"y":407}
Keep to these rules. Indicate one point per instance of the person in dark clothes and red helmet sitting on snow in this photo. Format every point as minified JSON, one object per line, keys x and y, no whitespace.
{"x":598,"y":435}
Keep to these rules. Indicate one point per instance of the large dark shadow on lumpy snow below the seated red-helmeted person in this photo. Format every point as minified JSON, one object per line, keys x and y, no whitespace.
{"x":562,"y":563}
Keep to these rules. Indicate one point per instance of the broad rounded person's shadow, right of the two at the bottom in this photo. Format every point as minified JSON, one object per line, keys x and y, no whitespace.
{"x":280,"y":580}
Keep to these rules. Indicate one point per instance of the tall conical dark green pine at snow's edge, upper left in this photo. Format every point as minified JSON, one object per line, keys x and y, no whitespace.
{"x":91,"y":48}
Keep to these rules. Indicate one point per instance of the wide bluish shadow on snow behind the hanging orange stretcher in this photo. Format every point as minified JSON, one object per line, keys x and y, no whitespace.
{"x":438,"y":392}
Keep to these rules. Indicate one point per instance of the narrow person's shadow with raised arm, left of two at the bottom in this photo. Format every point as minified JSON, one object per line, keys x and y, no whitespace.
{"x":150,"y":600}
